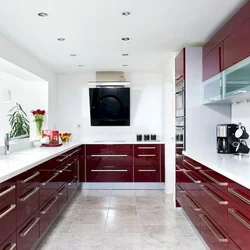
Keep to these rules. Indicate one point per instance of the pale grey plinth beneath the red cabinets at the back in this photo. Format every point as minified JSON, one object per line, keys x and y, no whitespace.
{"x":123,"y":185}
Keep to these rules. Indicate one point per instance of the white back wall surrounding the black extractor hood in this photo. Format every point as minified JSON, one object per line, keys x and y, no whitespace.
{"x":146,"y":102}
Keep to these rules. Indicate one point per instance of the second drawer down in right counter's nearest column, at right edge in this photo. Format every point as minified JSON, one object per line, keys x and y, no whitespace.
{"x":239,"y":224}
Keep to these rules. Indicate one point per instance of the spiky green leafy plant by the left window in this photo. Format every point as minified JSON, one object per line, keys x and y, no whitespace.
{"x":18,"y":122}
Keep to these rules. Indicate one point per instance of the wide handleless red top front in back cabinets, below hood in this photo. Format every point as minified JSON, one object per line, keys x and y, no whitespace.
{"x":109,"y":149}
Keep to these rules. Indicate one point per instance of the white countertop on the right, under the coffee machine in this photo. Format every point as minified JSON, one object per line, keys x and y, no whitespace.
{"x":233,"y":167}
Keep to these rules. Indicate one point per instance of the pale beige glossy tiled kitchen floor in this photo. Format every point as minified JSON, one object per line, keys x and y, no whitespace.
{"x":119,"y":220}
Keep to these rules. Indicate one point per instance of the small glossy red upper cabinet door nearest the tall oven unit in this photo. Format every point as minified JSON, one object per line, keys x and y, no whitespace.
{"x":212,"y":63}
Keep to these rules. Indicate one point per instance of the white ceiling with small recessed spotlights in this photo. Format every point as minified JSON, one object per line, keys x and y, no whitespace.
{"x":93,"y":30}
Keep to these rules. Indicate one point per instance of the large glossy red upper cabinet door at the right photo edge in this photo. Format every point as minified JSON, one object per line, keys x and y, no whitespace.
{"x":236,"y":46}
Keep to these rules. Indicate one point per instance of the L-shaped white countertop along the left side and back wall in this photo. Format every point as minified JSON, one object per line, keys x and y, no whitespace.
{"x":20,"y":161}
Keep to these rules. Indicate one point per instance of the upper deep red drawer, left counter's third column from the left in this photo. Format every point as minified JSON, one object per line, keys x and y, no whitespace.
{"x":48,"y":186}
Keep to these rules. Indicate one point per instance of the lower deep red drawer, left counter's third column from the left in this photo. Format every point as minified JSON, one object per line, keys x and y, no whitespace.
{"x":48,"y":212}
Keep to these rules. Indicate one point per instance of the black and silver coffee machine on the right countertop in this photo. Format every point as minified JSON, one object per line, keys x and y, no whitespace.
{"x":226,"y":138}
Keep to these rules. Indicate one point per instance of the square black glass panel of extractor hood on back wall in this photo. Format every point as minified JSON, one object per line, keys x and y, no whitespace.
{"x":109,"y":106}
